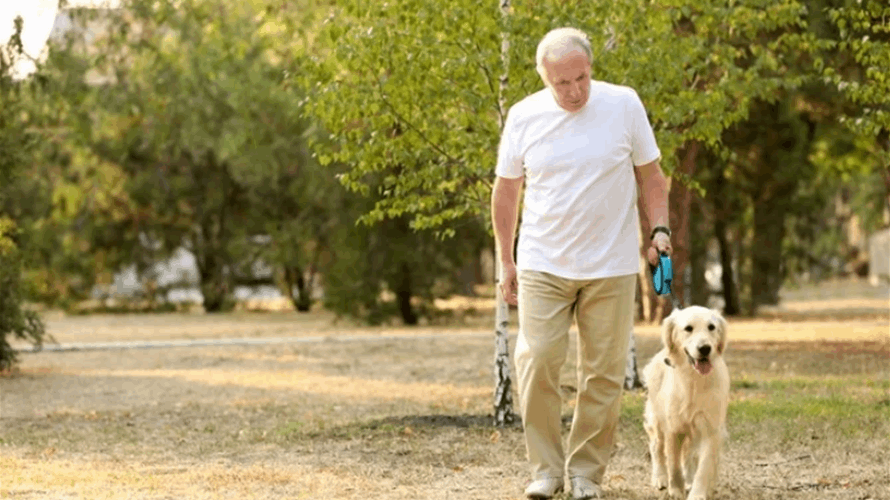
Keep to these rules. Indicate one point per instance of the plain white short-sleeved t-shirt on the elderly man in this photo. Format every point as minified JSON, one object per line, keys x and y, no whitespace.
{"x":579,"y":217}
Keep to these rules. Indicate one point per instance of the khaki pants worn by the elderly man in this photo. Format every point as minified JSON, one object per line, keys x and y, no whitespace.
{"x":603,"y":309}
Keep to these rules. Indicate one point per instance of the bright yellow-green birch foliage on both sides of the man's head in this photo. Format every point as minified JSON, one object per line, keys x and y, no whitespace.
{"x":411,"y":100}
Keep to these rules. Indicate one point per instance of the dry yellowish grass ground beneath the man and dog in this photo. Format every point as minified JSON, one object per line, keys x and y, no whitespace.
{"x":402,"y":419}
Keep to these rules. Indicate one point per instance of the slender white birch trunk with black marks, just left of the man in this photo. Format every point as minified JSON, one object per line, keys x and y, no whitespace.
{"x":503,"y":392}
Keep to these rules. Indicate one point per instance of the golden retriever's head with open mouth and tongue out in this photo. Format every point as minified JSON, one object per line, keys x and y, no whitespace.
{"x":695,"y":335}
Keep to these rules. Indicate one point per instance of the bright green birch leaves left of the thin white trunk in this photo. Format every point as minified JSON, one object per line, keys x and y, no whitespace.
{"x":410,"y":105}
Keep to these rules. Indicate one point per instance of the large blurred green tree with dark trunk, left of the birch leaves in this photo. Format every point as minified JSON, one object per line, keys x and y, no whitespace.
{"x":193,"y":104}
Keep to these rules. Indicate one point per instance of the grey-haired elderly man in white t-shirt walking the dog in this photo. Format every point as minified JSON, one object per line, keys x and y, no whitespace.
{"x":582,"y":148}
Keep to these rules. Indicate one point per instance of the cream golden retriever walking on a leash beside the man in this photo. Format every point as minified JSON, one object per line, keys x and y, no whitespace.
{"x":688,"y":393}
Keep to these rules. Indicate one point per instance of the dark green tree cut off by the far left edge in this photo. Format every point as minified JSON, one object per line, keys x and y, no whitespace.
{"x":16,"y":144}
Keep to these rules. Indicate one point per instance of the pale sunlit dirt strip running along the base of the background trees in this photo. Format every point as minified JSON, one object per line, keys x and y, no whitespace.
{"x":821,"y":320}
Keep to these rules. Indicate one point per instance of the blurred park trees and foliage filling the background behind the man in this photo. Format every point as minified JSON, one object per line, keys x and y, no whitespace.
{"x":308,"y":155}
